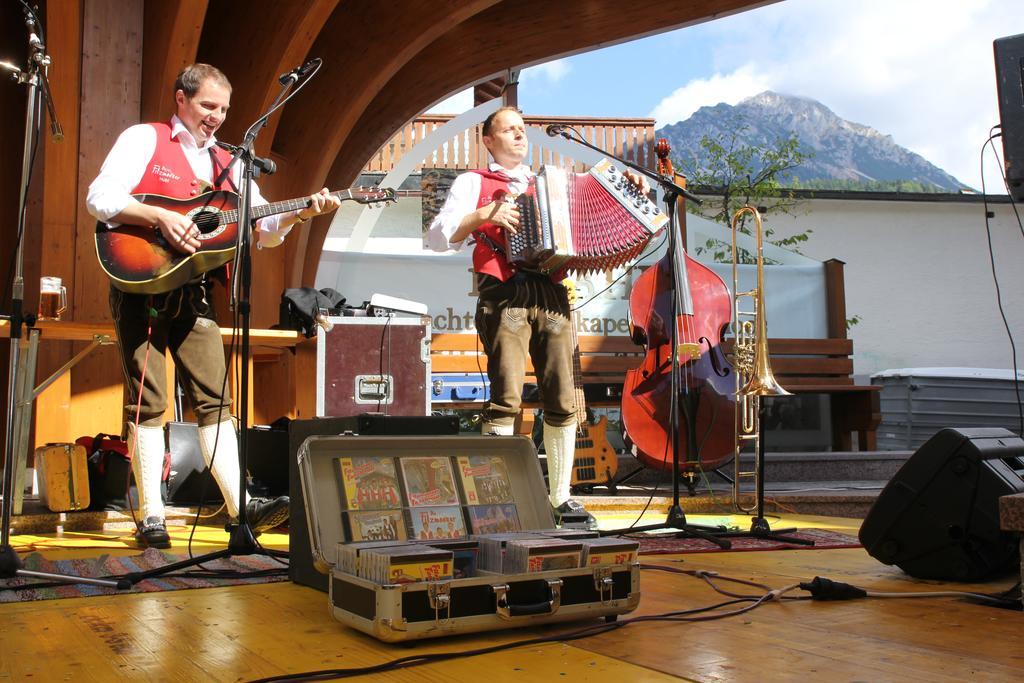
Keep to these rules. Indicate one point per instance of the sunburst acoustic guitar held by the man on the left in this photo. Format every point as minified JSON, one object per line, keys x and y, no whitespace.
{"x":140,"y":261}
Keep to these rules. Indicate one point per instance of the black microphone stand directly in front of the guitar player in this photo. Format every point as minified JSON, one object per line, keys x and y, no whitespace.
{"x":242,"y":540}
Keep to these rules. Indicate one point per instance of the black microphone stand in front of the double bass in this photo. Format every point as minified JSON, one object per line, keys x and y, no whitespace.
{"x":676,"y":519}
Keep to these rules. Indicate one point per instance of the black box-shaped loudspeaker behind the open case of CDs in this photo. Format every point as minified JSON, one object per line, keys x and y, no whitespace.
{"x":302,"y":568}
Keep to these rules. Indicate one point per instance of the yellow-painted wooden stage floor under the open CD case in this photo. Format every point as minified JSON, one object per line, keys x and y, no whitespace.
{"x":251,"y":632}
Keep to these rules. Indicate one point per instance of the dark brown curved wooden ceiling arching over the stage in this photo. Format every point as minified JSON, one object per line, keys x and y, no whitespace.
{"x":383,"y":64}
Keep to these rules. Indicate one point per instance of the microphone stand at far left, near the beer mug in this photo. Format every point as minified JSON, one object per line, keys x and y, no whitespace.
{"x":35,"y":77}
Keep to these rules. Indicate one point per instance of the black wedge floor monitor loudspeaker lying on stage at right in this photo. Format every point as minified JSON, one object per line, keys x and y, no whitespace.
{"x":940,"y":516}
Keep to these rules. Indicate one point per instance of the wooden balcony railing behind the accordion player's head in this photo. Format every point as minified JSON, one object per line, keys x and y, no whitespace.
{"x":632,"y":140}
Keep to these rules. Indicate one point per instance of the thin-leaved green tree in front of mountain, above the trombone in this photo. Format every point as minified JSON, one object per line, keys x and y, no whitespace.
{"x":737,"y":175}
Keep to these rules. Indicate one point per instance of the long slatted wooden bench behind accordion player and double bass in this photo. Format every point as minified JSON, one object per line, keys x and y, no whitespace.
{"x":802,"y":366}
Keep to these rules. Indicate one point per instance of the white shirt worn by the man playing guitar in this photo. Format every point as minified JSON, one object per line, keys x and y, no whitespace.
{"x":124,"y":166}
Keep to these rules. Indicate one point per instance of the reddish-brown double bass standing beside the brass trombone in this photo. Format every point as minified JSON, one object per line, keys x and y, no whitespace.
{"x":704,"y":396}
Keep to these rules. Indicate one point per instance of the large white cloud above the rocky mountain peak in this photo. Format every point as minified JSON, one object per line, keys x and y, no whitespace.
{"x":921,"y":71}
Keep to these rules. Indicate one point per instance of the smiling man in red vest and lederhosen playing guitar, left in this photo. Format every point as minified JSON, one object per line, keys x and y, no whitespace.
{"x":180,"y":159}
